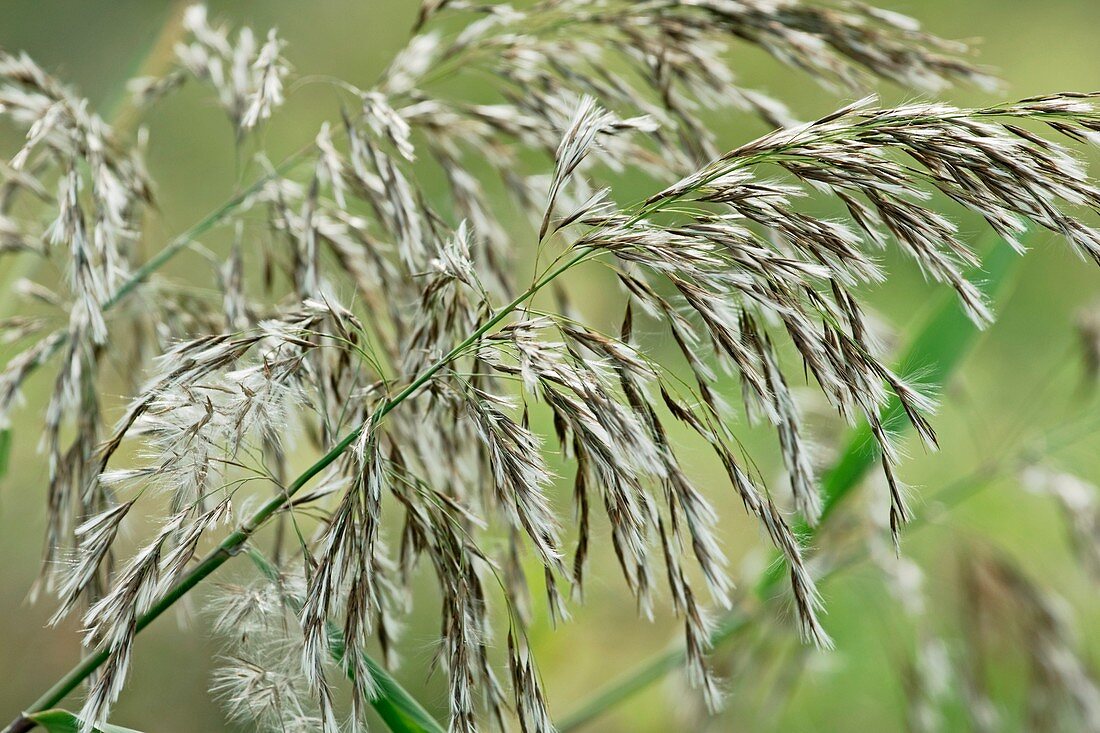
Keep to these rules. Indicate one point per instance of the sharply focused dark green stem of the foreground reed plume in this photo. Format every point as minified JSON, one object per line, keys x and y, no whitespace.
{"x":233,"y":544}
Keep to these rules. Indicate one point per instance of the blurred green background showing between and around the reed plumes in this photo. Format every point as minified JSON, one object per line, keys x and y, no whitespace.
{"x":1024,"y":378}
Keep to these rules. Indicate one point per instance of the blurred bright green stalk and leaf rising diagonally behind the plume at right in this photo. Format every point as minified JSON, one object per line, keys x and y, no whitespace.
{"x":938,"y":349}
